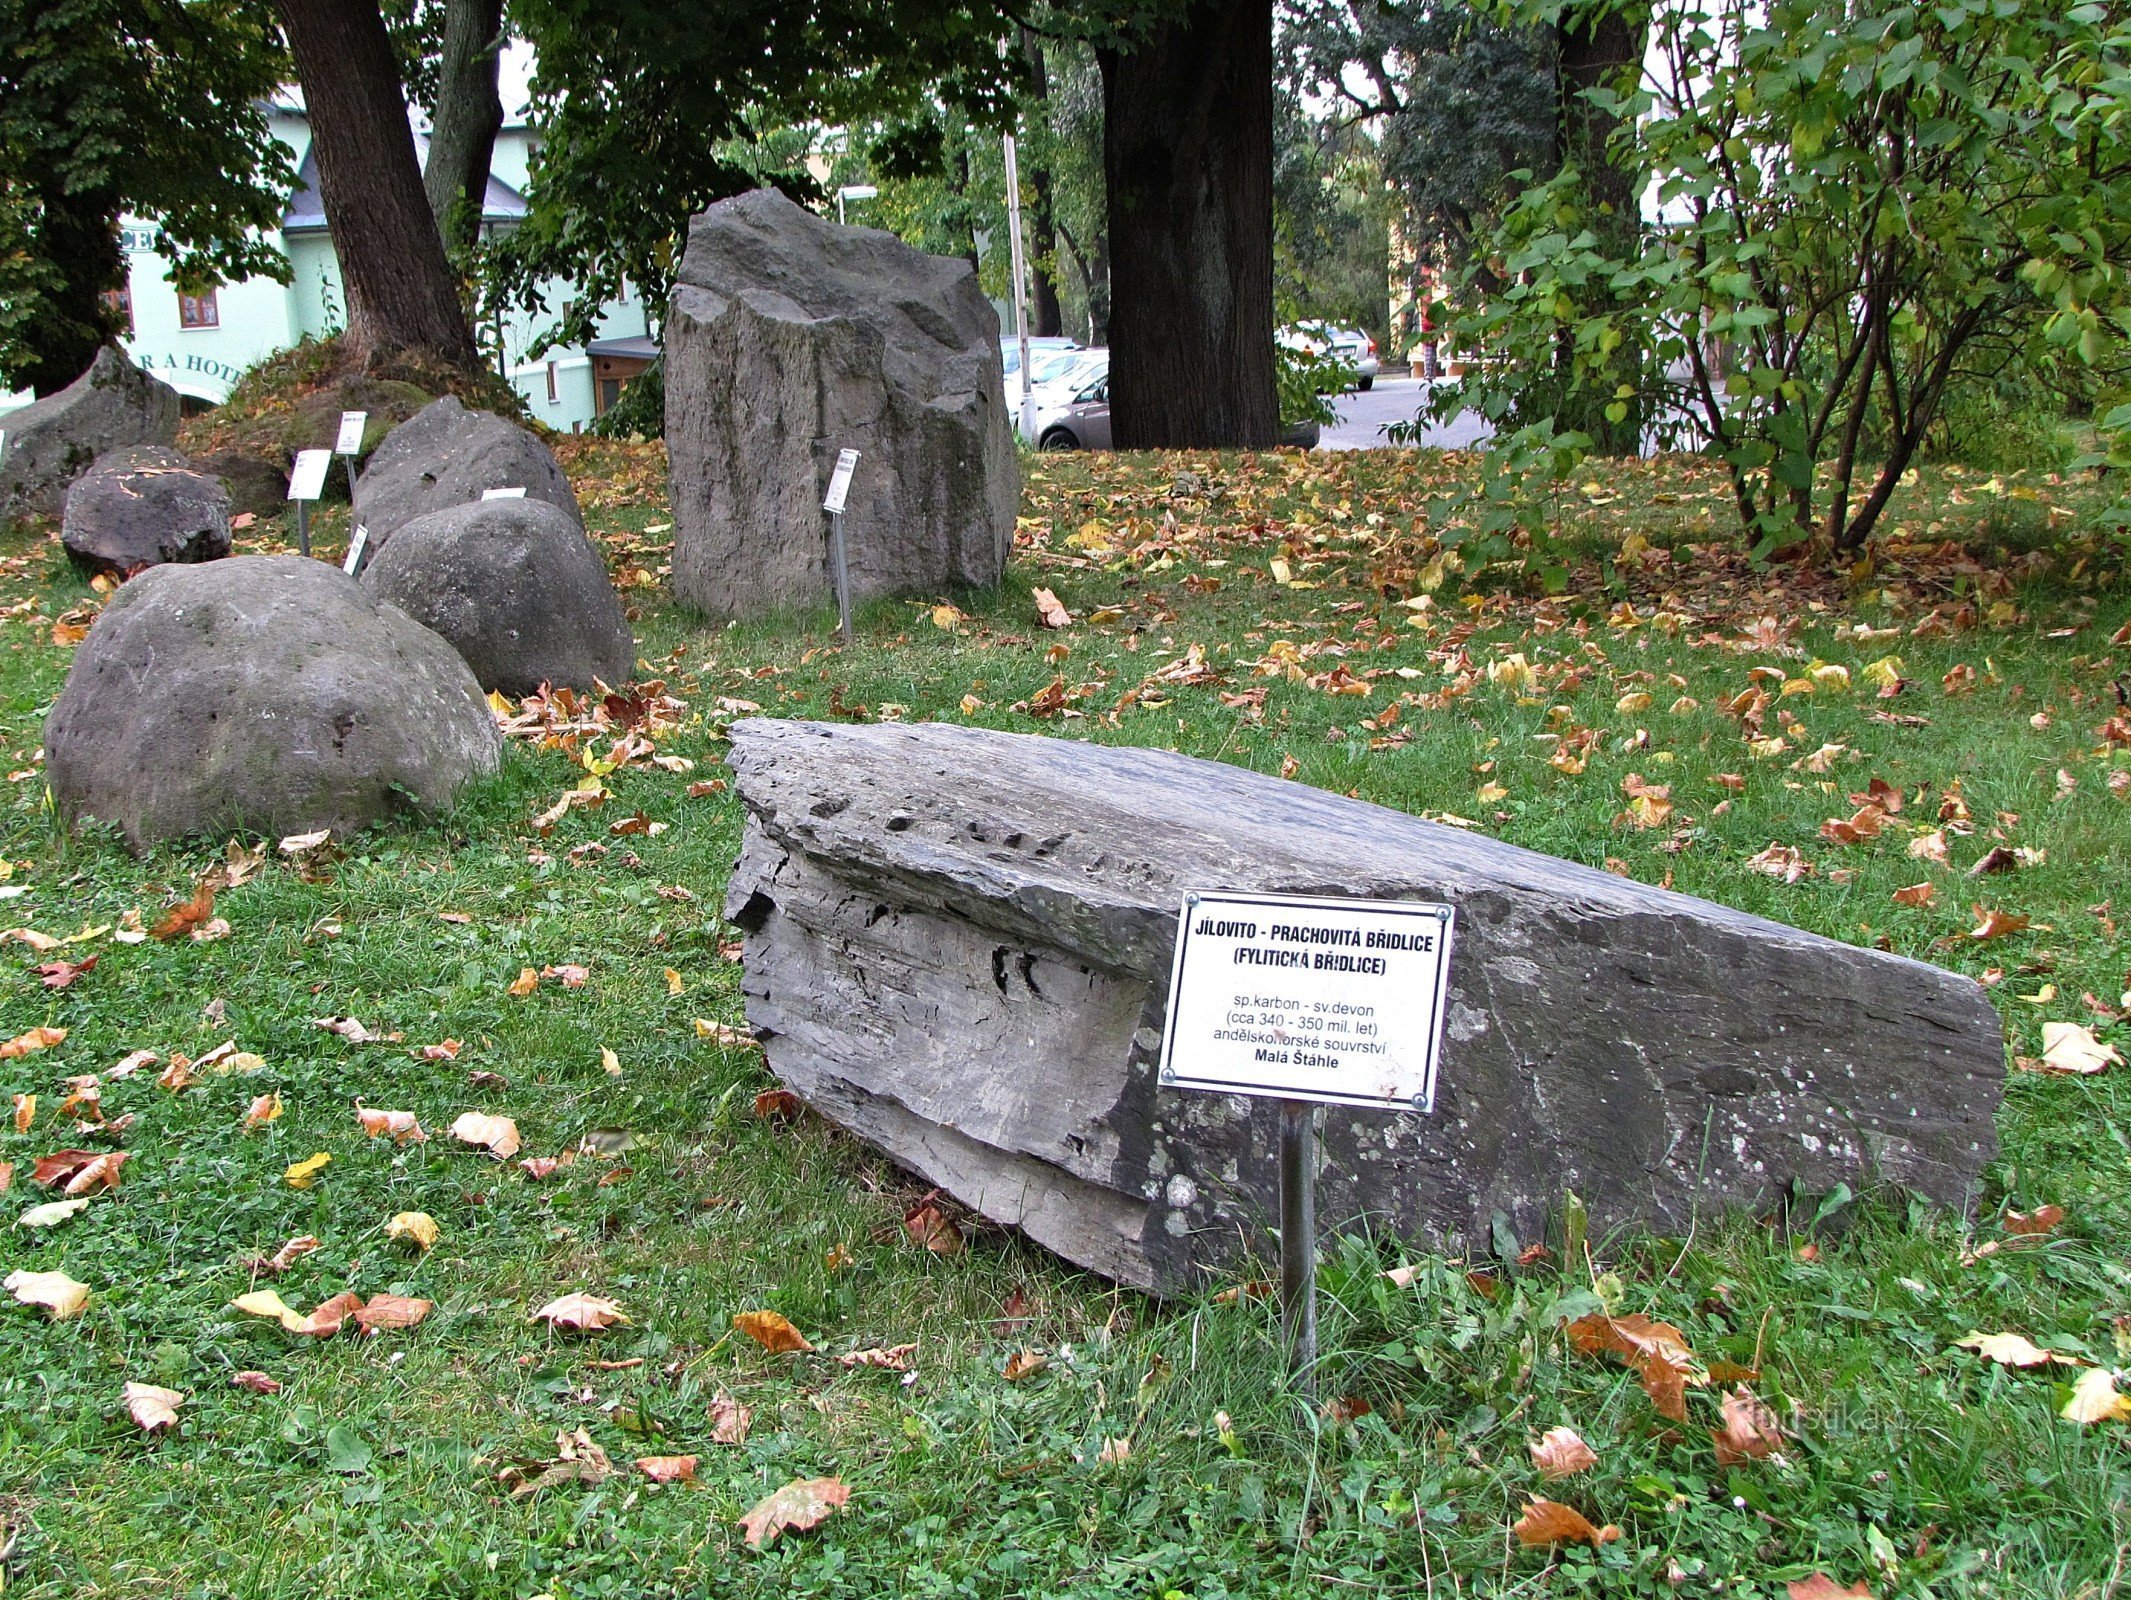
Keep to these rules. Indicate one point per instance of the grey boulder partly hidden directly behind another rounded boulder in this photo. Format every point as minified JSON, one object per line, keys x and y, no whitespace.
{"x":446,"y":455}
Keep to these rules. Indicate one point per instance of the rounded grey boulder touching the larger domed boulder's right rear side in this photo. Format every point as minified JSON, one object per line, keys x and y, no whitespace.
{"x":517,"y":589}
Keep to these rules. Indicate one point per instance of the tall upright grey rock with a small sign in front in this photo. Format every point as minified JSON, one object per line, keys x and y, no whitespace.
{"x":790,"y":340}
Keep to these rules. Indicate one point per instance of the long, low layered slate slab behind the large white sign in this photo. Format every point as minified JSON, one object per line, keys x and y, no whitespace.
{"x":960,"y":949}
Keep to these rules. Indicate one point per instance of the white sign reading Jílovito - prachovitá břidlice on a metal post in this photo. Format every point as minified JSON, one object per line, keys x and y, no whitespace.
{"x":1309,"y":998}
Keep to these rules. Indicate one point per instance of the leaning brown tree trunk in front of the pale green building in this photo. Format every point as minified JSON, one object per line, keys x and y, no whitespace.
{"x":400,"y":287}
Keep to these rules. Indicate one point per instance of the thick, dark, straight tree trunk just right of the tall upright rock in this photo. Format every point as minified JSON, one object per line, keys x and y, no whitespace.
{"x":1188,"y":165}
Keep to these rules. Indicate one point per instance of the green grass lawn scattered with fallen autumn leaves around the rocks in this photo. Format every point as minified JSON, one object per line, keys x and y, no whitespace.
{"x":1674,"y":715}
